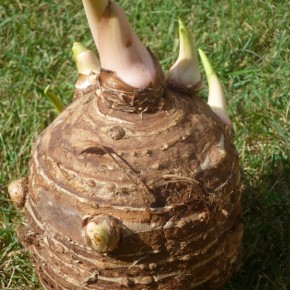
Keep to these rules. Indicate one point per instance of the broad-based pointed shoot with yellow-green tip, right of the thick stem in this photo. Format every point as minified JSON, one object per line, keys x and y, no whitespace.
{"x":185,"y":70}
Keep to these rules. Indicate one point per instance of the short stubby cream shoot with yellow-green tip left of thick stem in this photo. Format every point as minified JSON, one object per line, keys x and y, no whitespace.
{"x":86,"y":61}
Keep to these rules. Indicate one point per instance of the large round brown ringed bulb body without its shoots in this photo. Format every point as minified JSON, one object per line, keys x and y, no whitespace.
{"x":141,"y":193}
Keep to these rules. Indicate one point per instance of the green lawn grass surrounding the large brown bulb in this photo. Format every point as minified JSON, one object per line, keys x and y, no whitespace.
{"x":248,"y":44}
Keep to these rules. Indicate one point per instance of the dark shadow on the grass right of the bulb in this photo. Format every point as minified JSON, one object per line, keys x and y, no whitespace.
{"x":266,"y":263}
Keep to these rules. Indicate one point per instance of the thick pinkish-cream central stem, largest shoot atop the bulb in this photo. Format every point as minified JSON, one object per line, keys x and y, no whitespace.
{"x":120,"y":49}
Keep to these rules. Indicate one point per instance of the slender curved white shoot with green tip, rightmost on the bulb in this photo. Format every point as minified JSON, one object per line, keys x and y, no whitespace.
{"x":216,"y":96}
